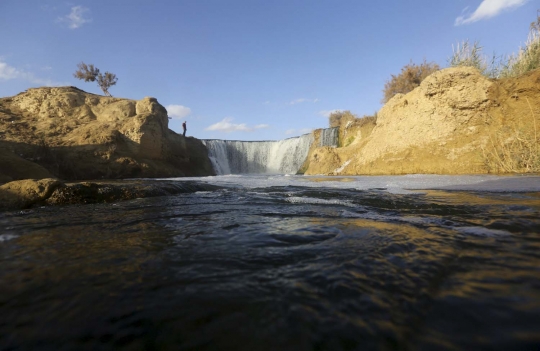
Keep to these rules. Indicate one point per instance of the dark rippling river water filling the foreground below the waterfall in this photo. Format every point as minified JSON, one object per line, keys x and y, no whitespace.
{"x":280,"y":263}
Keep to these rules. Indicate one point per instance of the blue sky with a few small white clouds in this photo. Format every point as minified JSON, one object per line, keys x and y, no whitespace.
{"x":247,"y":69}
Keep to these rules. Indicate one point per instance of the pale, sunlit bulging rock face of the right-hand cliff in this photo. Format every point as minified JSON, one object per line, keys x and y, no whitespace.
{"x":443,"y":104}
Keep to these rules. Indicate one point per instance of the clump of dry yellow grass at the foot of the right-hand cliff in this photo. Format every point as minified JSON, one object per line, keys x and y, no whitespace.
{"x":514,"y":150}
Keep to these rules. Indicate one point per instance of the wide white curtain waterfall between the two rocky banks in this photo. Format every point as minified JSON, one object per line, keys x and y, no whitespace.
{"x":236,"y":157}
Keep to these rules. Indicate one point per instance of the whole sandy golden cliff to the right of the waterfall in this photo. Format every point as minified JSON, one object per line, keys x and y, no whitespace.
{"x":448,"y":125}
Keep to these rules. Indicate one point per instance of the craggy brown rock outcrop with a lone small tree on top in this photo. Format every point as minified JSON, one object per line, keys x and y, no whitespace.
{"x":67,"y":133}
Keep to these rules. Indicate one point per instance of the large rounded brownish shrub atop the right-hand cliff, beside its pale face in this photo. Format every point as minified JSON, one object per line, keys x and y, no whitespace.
{"x":410,"y":77}
